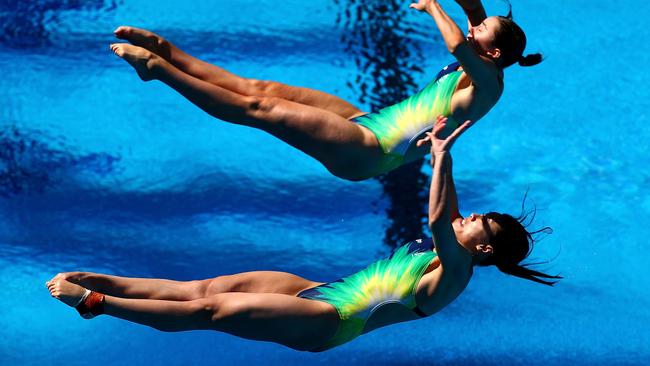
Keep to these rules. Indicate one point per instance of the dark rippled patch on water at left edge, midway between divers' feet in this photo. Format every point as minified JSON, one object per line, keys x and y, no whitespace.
{"x":29,"y":165}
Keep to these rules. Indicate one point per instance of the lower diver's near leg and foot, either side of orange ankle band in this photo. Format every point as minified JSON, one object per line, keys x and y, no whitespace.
{"x":294,"y":322}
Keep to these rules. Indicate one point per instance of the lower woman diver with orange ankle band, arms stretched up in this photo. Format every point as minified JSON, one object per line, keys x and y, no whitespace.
{"x":418,"y":280}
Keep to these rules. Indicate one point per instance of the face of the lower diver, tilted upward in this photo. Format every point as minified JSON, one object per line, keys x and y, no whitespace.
{"x":474,"y":230}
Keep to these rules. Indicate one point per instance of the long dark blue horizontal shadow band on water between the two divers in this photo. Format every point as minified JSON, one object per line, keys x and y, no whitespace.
{"x":213,"y":194}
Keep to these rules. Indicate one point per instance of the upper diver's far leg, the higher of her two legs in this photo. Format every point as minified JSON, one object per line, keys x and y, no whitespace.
{"x":220,"y":77}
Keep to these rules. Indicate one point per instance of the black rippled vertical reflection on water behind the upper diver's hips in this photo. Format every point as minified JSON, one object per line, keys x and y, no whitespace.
{"x":387,"y":57}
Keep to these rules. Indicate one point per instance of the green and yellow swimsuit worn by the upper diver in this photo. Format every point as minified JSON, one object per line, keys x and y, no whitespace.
{"x":398,"y":126}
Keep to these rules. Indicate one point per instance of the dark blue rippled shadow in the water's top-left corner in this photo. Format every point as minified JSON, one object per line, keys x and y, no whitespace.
{"x":24,"y":24}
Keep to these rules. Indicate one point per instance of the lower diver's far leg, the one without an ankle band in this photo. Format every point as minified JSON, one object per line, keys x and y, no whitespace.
{"x":161,"y":289}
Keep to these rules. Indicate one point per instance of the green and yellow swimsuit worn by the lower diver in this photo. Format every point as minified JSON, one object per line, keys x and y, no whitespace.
{"x":387,"y":281}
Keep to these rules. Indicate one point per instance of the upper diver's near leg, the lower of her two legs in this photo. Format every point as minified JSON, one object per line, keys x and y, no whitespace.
{"x":344,"y":148}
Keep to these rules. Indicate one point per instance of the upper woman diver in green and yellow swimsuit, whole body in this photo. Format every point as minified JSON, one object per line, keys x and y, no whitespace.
{"x":322,"y":125}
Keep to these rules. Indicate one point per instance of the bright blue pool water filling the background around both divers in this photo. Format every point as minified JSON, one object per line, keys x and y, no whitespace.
{"x":104,"y":173}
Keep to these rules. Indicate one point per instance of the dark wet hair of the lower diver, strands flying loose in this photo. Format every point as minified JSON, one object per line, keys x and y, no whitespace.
{"x":512,"y":244}
